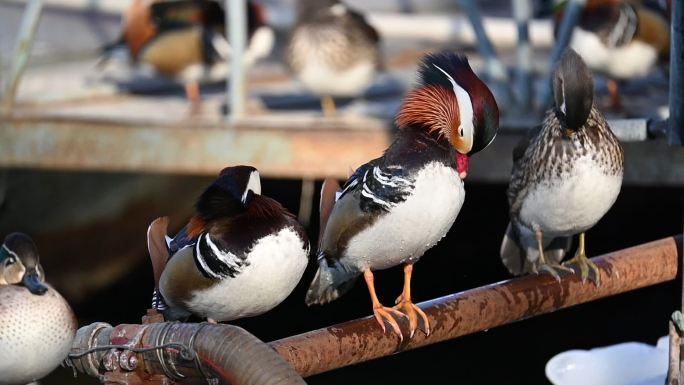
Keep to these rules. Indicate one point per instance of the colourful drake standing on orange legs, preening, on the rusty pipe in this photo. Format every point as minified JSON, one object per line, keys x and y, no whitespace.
{"x":396,"y":207}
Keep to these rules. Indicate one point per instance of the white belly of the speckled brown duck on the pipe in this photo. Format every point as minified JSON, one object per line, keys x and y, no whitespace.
{"x":573,"y":203}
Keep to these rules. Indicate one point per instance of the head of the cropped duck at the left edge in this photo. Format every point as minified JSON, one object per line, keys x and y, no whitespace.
{"x":20,"y":265}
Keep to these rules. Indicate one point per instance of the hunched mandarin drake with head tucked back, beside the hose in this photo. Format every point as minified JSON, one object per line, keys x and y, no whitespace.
{"x":239,"y":256}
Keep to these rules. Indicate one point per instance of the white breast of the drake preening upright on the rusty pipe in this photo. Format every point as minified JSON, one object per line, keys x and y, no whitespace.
{"x":413,"y":226}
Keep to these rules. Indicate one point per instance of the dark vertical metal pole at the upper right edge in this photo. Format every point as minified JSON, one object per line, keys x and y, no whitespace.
{"x":676,"y":125}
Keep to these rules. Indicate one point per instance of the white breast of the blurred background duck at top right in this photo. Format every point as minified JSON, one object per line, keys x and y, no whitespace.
{"x":634,"y":59}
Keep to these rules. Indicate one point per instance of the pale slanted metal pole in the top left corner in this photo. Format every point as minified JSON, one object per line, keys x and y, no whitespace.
{"x":22,"y":51}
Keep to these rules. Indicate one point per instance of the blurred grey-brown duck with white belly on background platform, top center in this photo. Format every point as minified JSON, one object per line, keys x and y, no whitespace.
{"x":332,"y":51}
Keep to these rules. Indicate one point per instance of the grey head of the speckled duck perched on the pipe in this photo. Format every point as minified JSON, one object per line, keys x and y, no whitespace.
{"x":573,"y":90}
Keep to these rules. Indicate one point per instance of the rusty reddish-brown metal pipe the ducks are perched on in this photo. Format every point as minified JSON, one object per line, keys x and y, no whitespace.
{"x":482,"y":308}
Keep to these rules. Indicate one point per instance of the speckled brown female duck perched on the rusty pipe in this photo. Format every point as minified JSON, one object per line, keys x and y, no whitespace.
{"x":566,"y":174}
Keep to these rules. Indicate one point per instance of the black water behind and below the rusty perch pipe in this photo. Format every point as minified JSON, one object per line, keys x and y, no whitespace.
{"x":466,"y":258}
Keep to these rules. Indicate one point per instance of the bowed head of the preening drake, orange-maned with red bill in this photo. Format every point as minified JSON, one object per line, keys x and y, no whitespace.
{"x":452,"y":103}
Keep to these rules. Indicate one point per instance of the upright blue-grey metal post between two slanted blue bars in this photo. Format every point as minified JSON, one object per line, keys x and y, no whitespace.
{"x":522,"y":13}
